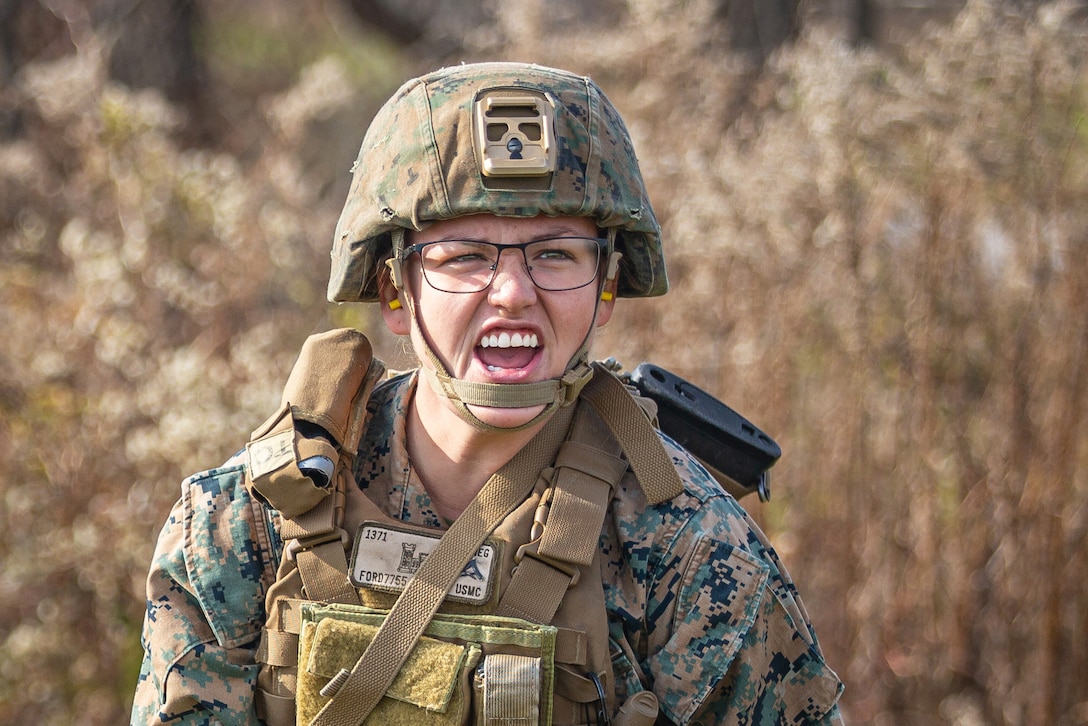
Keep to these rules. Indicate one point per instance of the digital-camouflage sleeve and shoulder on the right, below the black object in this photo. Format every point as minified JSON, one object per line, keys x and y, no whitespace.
{"x":730,"y":641}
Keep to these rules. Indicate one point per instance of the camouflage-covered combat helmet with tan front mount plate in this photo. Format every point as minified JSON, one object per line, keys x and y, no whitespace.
{"x":511,"y":140}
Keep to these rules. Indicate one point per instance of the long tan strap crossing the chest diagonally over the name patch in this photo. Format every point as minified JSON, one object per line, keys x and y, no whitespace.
{"x":381,"y":662}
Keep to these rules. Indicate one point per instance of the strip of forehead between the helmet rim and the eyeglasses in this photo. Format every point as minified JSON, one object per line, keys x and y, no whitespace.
{"x":506,"y":230}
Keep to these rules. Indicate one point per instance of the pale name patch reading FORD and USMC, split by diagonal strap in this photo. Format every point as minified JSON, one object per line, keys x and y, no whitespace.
{"x":386,"y":559}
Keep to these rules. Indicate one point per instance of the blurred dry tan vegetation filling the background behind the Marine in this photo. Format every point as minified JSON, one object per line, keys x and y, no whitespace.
{"x":879,"y":253}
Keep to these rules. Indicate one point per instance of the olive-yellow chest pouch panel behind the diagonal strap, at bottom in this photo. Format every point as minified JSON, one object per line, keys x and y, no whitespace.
{"x":465,"y":670}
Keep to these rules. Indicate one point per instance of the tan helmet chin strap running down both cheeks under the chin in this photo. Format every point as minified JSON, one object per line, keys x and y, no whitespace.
{"x":551,"y":395}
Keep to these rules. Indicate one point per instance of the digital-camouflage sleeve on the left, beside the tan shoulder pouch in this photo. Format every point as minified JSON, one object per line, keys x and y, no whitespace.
{"x":206,"y":589}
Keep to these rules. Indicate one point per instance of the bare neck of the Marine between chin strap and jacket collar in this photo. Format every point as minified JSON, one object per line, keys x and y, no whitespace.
{"x":453,"y":459}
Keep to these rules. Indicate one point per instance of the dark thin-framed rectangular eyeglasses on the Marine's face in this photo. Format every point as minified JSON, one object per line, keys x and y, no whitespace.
{"x":468,"y":266}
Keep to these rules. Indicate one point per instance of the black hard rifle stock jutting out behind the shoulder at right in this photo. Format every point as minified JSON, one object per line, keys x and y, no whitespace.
{"x":724,"y":441}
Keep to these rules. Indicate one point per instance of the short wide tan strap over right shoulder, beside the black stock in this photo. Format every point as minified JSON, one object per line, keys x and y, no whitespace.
{"x":651,"y":463}
